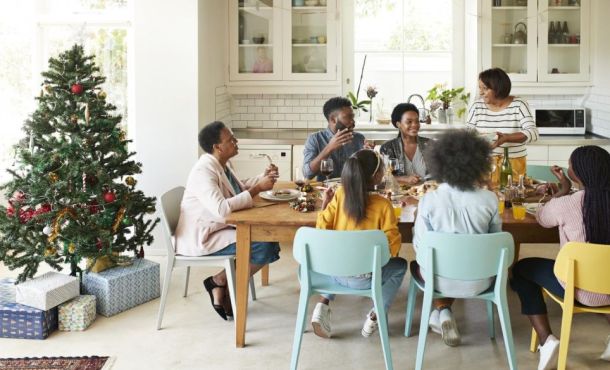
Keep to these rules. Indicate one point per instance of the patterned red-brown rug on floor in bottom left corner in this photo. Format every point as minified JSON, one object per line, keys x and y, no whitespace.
{"x":56,"y":363}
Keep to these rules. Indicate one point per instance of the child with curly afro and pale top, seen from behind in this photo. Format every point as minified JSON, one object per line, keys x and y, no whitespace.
{"x":459,"y":160}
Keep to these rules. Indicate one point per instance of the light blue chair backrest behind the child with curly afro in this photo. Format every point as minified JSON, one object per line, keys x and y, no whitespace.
{"x":466,"y":256}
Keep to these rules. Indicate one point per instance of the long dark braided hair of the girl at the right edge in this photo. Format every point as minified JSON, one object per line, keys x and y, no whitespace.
{"x":591,"y":164}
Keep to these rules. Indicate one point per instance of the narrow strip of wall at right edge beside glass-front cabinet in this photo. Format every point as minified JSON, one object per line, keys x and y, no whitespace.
{"x":599,"y":99}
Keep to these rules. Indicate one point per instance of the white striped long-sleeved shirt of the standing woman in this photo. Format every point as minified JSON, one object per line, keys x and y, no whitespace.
{"x":517,"y":117}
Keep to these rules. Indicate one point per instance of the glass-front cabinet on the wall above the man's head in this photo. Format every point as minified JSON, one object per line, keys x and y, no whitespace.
{"x":283,"y":40}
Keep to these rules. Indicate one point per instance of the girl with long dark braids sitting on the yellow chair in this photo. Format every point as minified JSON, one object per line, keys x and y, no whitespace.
{"x":583,"y":216}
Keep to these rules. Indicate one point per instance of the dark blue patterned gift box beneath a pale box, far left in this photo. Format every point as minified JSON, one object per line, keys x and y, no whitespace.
{"x":19,"y":321}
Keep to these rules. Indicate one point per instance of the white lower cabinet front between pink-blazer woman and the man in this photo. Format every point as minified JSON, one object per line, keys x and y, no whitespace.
{"x":252,"y":161}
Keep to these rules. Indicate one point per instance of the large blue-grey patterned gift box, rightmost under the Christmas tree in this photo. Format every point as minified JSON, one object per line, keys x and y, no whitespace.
{"x":121,"y":288}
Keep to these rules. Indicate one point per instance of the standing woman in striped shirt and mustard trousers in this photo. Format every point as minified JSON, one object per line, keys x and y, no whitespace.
{"x":509,"y":117}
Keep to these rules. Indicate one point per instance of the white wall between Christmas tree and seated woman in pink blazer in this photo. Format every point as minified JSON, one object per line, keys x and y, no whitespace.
{"x":166,"y":93}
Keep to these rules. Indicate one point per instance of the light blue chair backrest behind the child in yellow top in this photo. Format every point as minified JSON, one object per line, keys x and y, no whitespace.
{"x":340,"y":253}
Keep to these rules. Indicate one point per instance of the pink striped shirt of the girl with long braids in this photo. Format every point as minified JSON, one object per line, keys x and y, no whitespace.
{"x":566,"y":212}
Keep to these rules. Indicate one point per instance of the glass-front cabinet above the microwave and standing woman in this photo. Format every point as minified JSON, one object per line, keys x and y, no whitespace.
{"x":537,"y":40}
